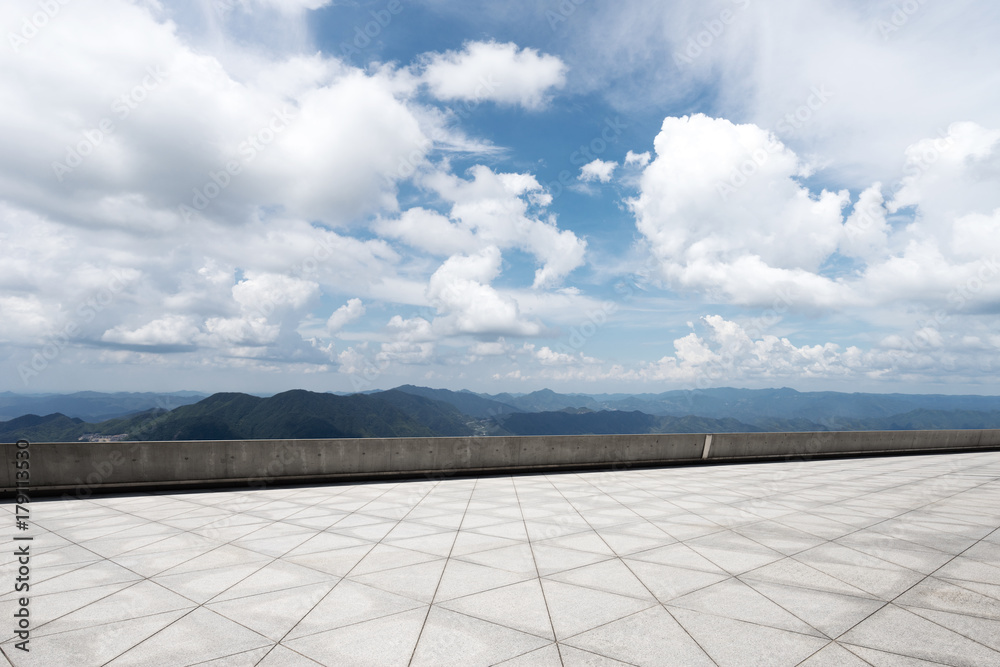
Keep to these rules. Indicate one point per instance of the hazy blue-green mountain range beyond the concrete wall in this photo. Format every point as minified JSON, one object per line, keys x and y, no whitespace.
{"x":420,"y":411}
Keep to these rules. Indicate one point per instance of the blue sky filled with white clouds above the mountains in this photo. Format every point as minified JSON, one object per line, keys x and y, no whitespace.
{"x":583,"y":195}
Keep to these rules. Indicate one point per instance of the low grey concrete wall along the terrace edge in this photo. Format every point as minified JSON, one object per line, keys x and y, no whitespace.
{"x":84,"y":468}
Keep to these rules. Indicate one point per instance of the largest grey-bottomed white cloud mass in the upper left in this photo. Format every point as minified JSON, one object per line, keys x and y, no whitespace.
{"x":166,"y":125}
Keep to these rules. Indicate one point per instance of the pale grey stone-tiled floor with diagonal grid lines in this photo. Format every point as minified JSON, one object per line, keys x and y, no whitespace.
{"x":883,"y":561}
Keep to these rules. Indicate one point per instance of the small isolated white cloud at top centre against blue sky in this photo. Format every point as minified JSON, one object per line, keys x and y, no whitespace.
{"x":501,"y":73}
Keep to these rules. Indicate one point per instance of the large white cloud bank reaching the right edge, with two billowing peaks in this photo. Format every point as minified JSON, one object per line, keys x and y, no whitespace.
{"x":725,"y":213}
